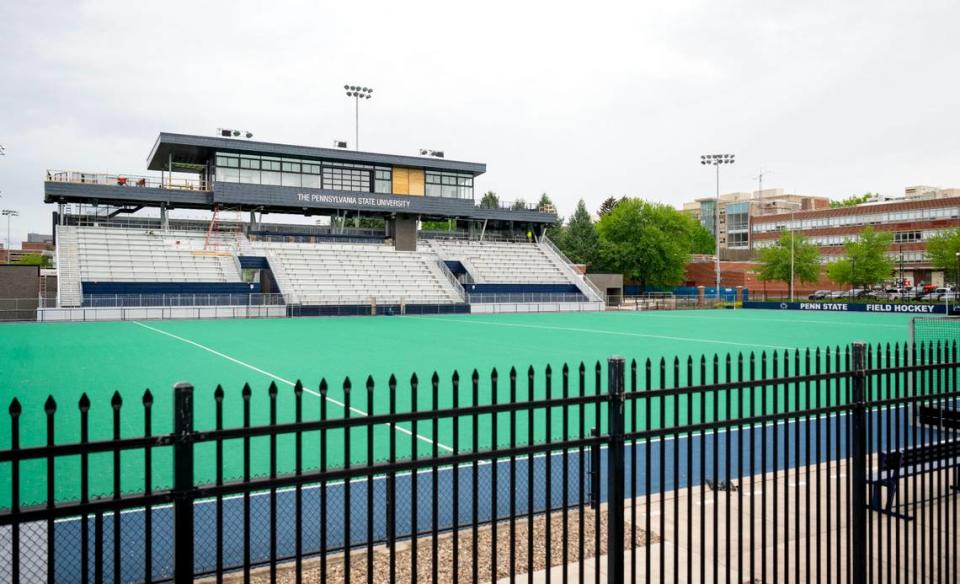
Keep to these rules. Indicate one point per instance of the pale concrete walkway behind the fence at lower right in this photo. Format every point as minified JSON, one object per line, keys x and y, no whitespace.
{"x":901,"y":551}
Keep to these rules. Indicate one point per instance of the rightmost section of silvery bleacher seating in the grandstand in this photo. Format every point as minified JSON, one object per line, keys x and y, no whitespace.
{"x":502,"y":262}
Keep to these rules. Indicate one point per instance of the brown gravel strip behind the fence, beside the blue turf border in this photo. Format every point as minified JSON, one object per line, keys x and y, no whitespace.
{"x":381,"y":555}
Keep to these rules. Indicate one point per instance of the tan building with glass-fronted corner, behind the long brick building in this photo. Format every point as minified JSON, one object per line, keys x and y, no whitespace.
{"x":739,"y":210}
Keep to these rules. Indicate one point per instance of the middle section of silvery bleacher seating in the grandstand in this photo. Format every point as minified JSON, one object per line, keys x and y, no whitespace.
{"x":341,"y":273}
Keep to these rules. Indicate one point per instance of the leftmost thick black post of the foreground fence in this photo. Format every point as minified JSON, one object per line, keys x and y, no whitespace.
{"x":183,"y":483}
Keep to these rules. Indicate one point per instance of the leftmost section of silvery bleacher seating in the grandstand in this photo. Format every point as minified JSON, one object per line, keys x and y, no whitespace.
{"x":133,"y":255}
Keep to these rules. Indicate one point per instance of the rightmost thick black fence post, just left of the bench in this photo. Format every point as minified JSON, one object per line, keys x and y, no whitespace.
{"x":858,"y":498}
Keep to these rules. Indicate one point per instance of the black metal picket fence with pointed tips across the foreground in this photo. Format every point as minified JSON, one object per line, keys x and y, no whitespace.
{"x":833,"y":465}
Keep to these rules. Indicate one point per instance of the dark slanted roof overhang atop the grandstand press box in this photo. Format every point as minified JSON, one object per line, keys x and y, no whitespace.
{"x":190,"y":153}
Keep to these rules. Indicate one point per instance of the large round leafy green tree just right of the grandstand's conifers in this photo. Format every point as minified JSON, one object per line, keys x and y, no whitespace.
{"x":646,"y":242}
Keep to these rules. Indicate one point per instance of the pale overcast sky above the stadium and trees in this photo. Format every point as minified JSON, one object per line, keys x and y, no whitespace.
{"x":586,"y":99}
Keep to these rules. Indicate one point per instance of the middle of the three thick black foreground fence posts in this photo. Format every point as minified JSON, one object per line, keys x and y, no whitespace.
{"x":615,"y":470}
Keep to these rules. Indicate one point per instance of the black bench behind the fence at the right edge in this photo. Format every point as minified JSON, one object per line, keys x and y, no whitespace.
{"x":908,"y":462}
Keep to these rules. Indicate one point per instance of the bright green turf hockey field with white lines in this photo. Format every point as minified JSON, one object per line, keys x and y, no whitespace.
{"x":67,"y":359}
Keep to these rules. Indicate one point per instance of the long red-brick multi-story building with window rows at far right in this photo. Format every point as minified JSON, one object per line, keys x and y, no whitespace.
{"x":913,"y":219}
